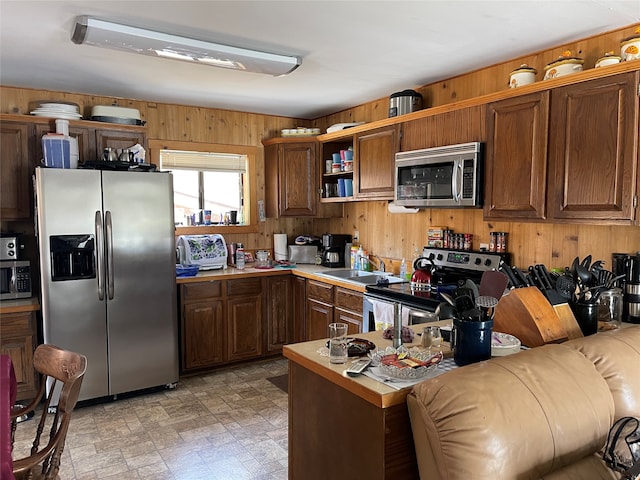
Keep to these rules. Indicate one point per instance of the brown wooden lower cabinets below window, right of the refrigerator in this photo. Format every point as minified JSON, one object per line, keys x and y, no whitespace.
{"x":225,"y":321}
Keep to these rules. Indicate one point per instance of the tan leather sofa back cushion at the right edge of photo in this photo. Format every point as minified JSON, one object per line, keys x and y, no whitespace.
{"x":616,"y":356}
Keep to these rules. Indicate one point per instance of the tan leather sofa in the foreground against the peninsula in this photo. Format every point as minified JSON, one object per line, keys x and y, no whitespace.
{"x":542,"y":413}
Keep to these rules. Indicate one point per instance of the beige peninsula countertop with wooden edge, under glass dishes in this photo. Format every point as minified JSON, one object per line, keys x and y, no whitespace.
{"x":306,"y":354}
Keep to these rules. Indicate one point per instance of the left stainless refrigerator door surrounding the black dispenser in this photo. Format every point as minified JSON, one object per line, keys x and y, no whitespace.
{"x":73,"y":316}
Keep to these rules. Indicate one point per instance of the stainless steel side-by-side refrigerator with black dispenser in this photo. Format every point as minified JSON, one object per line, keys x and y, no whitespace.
{"x":107,"y":268}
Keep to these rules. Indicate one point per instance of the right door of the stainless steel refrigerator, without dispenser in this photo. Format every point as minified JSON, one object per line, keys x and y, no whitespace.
{"x":142,"y":323}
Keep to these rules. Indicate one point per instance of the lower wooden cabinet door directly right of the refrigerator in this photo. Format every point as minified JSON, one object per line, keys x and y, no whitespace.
{"x":202,"y":334}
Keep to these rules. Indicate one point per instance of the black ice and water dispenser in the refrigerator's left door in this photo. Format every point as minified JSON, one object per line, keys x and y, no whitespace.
{"x":72,"y":257}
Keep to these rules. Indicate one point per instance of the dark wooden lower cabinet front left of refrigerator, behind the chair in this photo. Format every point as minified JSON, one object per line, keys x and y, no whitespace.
{"x":19,"y":342}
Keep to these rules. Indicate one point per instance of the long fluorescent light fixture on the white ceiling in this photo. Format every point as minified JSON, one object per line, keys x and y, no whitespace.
{"x":102,"y":33}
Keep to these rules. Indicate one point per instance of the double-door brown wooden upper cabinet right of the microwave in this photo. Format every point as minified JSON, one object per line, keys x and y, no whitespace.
{"x":566,"y":154}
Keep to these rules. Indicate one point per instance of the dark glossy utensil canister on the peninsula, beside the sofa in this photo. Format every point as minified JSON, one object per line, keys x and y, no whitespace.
{"x":471,"y":341}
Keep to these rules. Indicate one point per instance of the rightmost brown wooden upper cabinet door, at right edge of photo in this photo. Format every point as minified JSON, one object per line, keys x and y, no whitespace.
{"x":593,"y":156}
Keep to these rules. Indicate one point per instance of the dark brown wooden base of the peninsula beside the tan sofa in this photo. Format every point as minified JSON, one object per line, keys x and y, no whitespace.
{"x":336,"y":434}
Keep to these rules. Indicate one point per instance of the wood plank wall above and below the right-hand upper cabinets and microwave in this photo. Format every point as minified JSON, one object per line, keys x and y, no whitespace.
{"x":394,"y":236}
